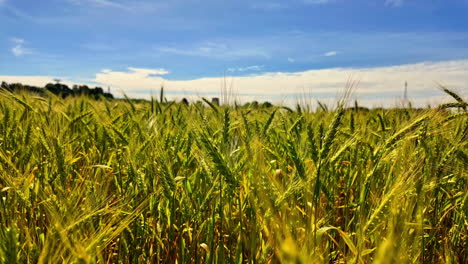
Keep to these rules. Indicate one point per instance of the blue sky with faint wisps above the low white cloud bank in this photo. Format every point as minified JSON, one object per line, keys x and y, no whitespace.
{"x":183,"y":40}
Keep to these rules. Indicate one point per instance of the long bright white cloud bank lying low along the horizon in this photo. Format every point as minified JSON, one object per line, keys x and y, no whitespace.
{"x":381,"y":86}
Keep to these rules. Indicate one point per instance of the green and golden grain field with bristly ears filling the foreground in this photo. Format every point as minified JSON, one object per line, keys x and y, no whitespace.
{"x":120,"y":181}
